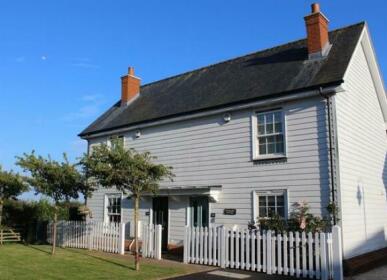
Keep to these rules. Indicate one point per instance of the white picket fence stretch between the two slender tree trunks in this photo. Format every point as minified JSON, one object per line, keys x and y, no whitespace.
{"x":107,"y":237}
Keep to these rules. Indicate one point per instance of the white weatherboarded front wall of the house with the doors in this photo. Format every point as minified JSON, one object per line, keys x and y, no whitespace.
{"x":207,"y":151}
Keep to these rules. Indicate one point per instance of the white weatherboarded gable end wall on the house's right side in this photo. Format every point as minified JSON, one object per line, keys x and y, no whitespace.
{"x":362,"y":147}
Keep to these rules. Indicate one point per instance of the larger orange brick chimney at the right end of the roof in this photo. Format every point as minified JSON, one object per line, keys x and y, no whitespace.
{"x":317,"y":33}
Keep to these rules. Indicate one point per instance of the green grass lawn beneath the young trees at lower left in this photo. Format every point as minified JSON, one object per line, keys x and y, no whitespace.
{"x":35,"y":262}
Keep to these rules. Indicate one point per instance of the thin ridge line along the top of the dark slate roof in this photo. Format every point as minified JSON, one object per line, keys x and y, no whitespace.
{"x":244,"y":55}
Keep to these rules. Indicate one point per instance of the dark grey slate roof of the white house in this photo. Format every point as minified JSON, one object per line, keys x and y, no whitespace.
{"x":277,"y":71}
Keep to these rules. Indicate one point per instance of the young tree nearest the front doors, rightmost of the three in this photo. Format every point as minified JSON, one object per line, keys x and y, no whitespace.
{"x":127,"y":170}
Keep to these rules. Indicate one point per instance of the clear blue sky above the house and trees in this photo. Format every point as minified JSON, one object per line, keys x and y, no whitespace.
{"x":61,"y":61}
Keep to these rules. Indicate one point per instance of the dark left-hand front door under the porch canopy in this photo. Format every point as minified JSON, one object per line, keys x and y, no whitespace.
{"x":160,"y":217}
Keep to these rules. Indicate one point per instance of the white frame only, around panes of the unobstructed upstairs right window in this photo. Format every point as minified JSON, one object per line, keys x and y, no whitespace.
{"x":254,"y":135}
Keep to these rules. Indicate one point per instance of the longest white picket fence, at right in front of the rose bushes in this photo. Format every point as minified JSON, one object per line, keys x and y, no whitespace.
{"x":297,"y":254}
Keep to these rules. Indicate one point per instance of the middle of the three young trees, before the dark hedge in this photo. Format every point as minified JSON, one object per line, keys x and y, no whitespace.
{"x":61,"y":181}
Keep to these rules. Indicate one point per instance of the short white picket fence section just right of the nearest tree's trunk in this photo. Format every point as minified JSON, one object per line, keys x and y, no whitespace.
{"x":151,"y":241}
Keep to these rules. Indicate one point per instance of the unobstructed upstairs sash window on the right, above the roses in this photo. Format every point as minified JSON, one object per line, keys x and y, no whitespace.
{"x":269,"y":134}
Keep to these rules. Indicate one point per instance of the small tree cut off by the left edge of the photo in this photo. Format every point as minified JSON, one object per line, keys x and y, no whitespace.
{"x":11,"y":185}
